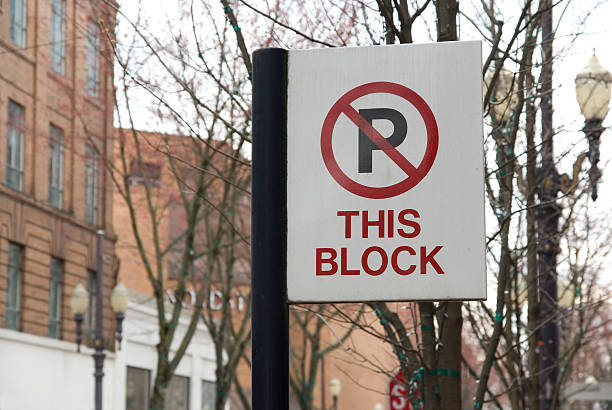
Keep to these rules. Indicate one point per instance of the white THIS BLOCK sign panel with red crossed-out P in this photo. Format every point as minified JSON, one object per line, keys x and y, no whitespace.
{"x":385,"y":196}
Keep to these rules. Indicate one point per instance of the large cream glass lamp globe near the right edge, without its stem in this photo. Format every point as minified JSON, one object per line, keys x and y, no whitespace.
{"x":593,"y":86}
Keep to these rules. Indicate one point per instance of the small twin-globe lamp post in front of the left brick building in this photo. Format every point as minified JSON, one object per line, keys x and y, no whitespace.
{"x":79,"y":300}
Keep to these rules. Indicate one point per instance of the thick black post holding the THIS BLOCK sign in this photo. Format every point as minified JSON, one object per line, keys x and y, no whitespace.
{"x":270,"y":321}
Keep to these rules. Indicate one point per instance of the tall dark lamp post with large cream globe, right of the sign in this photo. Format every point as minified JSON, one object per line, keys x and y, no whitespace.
{"x":593,"y":95}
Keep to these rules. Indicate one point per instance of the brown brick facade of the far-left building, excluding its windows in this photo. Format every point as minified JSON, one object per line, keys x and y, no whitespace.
{"x":49,"y":98}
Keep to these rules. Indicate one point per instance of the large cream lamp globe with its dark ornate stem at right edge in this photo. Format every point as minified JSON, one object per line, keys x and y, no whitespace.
{"x":593,"y":86}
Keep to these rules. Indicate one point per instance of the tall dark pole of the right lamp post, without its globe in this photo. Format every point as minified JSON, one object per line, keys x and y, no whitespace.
{"x":547,"y":216}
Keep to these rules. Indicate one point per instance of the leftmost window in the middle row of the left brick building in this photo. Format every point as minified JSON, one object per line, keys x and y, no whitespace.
{"x":14,"y":152}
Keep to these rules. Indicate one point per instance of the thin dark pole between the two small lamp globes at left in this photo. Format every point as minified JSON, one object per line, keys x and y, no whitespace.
{"x":98,"y":340}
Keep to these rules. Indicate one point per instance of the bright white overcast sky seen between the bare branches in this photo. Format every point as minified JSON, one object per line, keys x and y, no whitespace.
{"x":573,"y":53}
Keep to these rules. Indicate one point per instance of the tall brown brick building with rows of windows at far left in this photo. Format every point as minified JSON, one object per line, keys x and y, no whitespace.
{"x":56,"y":119}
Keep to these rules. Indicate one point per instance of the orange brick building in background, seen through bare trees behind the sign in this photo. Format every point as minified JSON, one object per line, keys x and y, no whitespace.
{"x":362,"y":387}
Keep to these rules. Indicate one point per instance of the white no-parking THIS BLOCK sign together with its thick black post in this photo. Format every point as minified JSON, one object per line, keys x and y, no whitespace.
{"x":368,"y":185}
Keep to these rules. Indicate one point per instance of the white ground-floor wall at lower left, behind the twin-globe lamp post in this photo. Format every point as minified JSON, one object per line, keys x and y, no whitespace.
{"x":38,"y":373}
